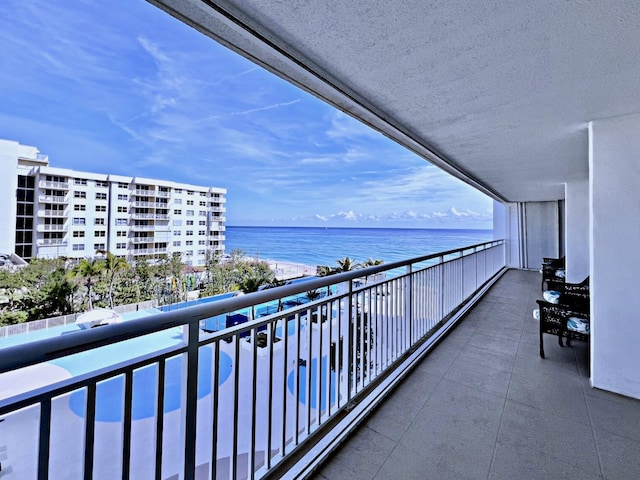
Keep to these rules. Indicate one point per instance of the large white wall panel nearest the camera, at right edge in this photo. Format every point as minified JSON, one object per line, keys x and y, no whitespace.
{"x":614,"y":180}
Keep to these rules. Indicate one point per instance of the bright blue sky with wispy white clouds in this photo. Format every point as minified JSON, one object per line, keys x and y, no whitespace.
{"x":121,"y":87}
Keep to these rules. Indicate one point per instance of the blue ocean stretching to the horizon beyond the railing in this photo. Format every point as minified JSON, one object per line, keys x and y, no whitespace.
{"x":323,"y":246}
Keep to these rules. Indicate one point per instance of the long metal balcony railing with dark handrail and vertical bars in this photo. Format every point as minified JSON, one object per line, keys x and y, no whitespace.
{"x":234,"y":402}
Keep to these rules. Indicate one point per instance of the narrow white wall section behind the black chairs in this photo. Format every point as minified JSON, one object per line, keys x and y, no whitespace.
{"x":577,"y":230}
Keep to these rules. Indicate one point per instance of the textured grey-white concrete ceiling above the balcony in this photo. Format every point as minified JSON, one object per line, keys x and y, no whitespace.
{"x":497,"y":93}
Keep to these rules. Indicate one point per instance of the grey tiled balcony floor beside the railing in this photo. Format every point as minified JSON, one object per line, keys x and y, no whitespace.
{"x":484,"y":405}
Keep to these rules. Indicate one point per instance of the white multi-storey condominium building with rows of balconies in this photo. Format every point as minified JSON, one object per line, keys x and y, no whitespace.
{"x":48,"y":212}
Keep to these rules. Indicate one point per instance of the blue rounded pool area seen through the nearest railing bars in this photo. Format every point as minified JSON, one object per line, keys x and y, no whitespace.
{"x":110,"y":393}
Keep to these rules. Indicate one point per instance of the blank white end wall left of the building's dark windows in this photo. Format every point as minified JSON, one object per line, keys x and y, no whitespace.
{"x":8,"y":188}
